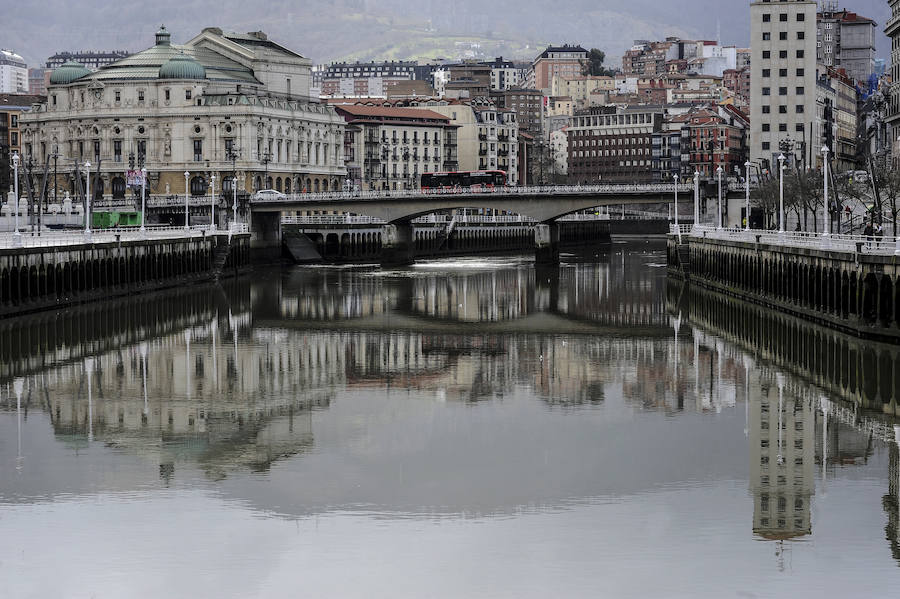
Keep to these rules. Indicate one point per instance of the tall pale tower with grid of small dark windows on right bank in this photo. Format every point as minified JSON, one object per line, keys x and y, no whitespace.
{"x":783,"y":78}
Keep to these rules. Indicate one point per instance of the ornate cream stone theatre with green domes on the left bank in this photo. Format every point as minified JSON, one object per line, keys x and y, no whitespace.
{"x":229,"y":104}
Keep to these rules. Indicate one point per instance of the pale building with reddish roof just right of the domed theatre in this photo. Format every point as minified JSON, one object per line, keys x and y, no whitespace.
{"x":392,"y":147}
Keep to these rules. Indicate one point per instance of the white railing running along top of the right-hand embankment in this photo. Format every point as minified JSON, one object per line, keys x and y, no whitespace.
{"x":833,"y":242}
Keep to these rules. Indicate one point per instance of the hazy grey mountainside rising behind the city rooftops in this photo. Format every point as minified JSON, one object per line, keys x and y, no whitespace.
{"x":389,"y":29}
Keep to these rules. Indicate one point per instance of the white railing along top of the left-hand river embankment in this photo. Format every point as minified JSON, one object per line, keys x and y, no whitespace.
{"x":79,"y":237}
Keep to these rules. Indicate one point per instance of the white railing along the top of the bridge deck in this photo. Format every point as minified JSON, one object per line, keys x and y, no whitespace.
{"x":531,"y":190}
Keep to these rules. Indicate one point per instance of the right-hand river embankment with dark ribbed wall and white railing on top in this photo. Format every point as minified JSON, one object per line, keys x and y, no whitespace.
{"x":849,"y":282}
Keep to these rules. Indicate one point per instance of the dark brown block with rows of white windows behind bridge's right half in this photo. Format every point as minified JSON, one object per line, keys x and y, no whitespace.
{"x":613,"y":145}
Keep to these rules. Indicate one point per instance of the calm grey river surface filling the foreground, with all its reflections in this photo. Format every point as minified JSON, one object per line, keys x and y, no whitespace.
{"x":461,"y":428}
